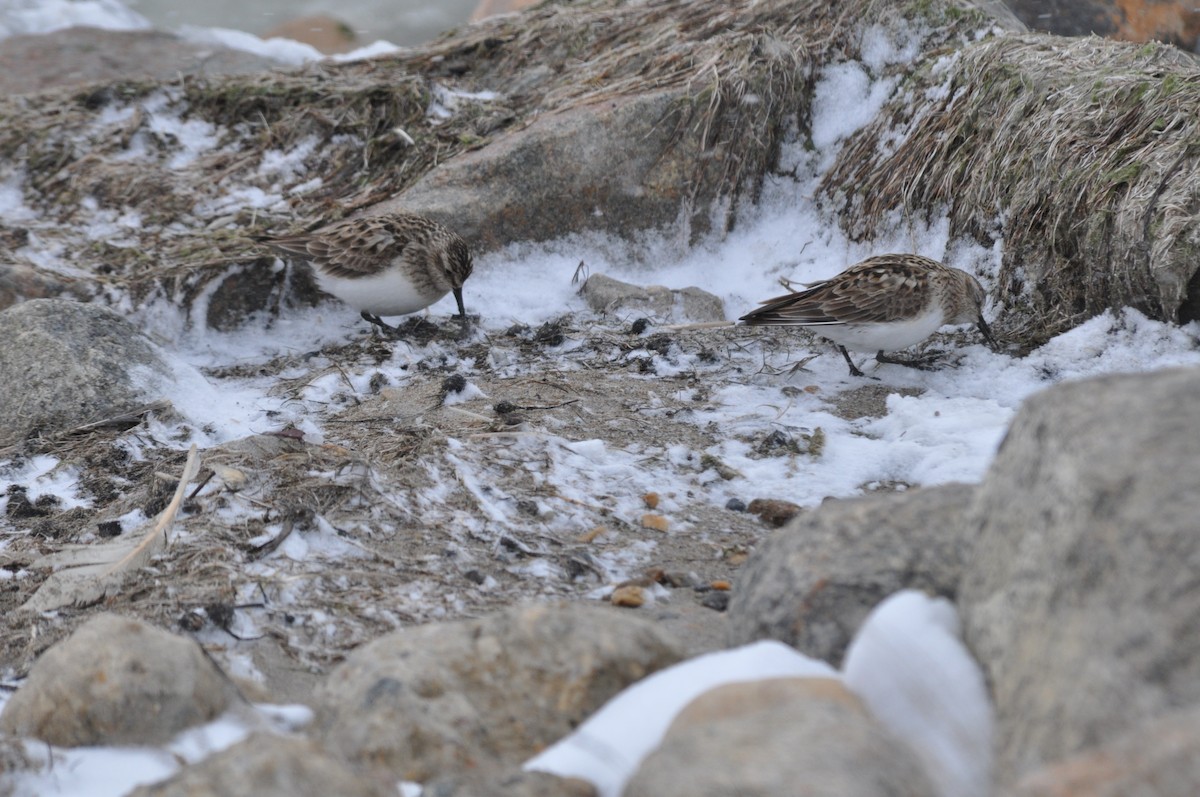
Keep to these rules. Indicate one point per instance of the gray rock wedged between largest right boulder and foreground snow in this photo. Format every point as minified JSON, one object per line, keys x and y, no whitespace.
{"x":813,"y":584}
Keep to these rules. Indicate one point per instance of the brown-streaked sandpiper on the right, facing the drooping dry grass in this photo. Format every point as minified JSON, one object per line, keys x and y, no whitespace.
{"x":884,"y":304}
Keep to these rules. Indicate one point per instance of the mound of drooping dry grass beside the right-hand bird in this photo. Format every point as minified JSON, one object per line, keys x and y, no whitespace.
{"x":1087,"y":149}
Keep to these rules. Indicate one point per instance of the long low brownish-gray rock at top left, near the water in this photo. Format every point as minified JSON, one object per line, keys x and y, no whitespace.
{"x":80,"y":56}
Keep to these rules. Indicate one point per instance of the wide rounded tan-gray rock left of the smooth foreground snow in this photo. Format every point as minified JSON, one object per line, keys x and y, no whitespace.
{"x":440,"y":699}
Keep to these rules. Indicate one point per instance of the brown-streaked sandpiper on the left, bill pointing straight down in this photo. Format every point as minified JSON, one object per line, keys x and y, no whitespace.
{"x":383,"y":266}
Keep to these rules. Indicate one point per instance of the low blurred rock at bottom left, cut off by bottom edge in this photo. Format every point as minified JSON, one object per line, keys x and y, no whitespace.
{"x":268,"y":766}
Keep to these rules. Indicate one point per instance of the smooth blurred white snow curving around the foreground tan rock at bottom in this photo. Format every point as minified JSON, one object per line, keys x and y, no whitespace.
{"x":907,"y":663}
